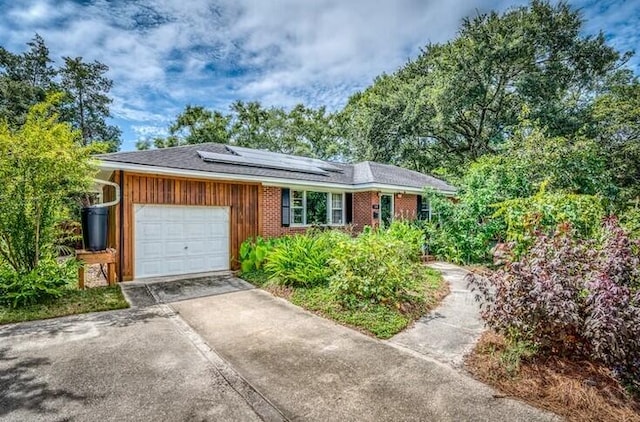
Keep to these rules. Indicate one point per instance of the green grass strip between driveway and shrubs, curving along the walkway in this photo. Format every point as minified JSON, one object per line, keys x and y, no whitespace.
{"x":374,"y":319}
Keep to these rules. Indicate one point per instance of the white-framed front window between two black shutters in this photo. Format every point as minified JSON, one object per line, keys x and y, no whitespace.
{"x":317,"y":208}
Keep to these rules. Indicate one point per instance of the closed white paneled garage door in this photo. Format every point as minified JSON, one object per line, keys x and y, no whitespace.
{"x":171,"y":240}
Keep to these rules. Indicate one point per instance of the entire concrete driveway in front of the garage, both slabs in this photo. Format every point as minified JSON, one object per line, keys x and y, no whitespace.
{"x":237,"y":355}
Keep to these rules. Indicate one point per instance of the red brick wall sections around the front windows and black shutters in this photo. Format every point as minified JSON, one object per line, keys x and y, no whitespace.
{"x":405,"y":206}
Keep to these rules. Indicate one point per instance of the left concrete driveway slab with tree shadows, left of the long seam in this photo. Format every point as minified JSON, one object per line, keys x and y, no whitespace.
{"x":130,"y":365}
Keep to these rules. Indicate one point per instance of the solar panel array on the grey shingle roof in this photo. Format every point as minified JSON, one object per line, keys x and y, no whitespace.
{"x":270,"y":160}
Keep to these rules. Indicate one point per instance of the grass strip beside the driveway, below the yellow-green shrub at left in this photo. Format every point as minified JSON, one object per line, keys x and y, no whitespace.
{"x":72,"y":302}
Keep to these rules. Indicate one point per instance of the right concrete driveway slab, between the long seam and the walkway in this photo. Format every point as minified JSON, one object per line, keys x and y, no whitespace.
{"x":312,"y":369}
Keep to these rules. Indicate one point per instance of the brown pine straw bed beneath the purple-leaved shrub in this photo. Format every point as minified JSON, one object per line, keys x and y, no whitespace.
{"x":577,"y":390}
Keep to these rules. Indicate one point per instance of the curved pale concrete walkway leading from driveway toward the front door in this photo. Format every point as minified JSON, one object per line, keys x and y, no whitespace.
{"x":451,"y":330}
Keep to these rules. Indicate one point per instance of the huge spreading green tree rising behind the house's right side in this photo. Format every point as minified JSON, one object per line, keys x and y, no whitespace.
{"x":460,"y":100}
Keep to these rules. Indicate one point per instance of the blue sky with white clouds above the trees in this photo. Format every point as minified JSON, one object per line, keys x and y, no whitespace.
{"x":165,"y":54}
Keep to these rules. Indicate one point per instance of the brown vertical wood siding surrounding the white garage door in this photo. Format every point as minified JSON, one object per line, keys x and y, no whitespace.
{"x":242,"y":199}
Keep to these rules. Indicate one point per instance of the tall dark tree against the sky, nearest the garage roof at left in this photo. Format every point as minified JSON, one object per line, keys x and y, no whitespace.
{"x":88,"y":105}
